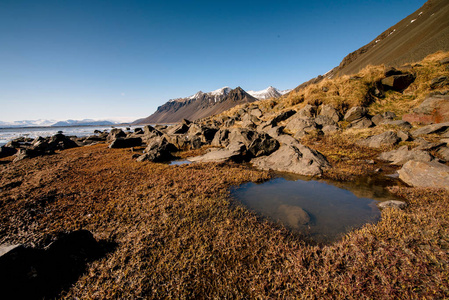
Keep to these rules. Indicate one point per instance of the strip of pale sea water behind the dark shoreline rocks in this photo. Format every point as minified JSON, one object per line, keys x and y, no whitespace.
{"x":8,"y":134}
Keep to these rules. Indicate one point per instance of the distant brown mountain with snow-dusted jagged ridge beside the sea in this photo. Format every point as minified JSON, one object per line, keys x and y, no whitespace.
{"x":198,"y":106}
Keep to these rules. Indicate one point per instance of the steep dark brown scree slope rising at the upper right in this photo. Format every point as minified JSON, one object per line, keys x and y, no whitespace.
{"x":422,"y":33}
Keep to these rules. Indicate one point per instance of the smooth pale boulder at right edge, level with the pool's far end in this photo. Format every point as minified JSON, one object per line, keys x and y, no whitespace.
{"x":425,"y":174}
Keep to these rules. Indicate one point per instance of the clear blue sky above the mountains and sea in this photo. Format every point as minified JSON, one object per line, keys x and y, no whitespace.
{"x":122,"y":59}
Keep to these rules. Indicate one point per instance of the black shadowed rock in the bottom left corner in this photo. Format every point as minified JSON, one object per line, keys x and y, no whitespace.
{"x":32,"y":273}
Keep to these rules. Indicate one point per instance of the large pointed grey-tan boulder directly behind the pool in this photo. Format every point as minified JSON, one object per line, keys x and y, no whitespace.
{"x":294,"y":158}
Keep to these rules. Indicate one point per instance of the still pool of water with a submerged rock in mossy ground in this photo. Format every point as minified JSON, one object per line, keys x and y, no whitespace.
{"x":323,"y":211}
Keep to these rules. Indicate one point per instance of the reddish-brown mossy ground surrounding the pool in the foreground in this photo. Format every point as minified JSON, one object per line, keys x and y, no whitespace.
{"x":179,"y":235}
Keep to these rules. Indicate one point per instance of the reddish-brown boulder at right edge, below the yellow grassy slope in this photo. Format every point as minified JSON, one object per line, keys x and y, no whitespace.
{"x":434,"y":109}
